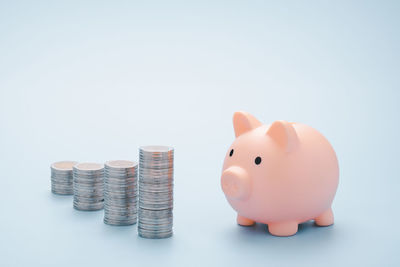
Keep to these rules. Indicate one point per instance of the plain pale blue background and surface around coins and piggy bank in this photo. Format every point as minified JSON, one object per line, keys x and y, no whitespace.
{"x":92,"y":81}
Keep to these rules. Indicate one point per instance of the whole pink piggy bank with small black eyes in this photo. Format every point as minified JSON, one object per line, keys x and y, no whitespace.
{"x":281,"y":175}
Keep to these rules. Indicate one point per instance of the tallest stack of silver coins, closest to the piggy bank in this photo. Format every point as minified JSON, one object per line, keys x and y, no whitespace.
{"x":155,"y":191}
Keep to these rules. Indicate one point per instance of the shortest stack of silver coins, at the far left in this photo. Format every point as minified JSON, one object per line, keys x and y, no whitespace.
{"x":61,"y":177}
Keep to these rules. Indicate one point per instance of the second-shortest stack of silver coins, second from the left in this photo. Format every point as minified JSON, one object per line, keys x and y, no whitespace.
{"x":88,"y":186}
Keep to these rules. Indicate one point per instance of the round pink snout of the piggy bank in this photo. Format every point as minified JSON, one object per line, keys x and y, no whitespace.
{"x":235,"y":183}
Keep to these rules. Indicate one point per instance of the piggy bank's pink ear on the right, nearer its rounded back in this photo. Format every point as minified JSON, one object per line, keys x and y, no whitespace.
{"x":283,"y":133}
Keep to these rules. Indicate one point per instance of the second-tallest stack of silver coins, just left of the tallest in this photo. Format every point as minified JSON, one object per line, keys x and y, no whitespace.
{"x":120,"y":192}
